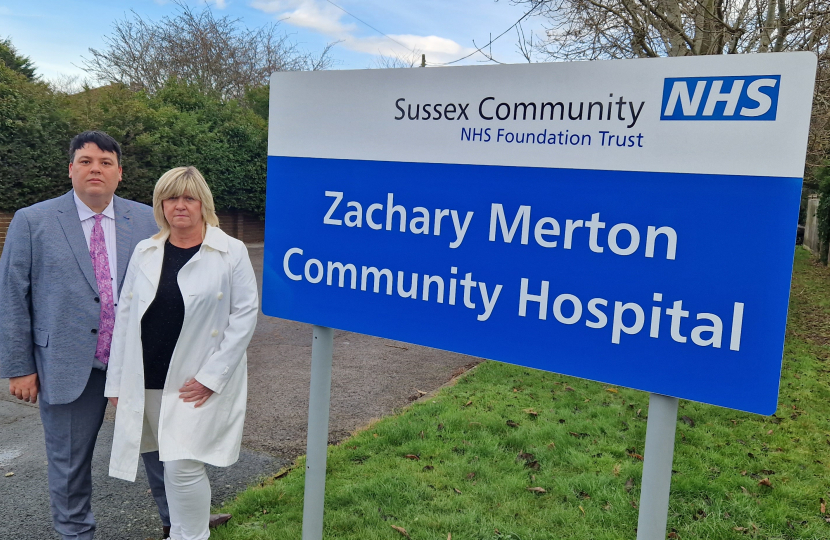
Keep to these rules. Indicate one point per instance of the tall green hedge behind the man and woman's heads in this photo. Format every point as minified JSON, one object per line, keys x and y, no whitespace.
{"x":178,"y":126}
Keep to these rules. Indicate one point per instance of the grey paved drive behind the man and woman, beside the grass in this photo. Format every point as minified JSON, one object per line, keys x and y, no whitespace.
{"x":371,"y":378}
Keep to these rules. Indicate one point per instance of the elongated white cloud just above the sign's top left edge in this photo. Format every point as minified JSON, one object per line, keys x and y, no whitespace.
{"x":323,"y":17}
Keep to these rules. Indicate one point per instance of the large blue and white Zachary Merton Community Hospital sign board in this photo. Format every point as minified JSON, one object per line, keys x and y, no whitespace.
{"x":516,"y":233}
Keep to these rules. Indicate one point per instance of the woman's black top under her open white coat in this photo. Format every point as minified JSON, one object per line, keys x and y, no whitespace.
{"x":162,"y":322}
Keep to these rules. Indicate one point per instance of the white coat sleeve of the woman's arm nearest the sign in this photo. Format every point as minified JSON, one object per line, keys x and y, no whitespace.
{"x":244,"y":306}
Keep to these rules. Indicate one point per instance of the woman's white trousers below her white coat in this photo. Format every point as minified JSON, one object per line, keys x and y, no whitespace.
{"x":185,"y":481}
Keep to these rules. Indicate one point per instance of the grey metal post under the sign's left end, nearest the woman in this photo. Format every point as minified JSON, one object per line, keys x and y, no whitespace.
{"x":319,"y":399}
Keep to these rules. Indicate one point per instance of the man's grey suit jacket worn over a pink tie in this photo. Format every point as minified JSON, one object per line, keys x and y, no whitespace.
{"x":49,"y":310}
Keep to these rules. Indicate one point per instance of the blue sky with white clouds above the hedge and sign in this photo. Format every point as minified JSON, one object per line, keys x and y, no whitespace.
{"x":57,"y":34}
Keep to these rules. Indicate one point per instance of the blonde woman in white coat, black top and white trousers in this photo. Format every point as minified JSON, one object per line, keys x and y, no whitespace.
{"x":178,"y":371}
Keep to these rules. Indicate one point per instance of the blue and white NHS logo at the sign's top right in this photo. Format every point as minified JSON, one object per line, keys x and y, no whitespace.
{"x":721,"y":98}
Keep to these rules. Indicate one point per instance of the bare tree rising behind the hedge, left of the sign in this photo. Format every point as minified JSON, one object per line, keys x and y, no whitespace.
{"x":216,"y":54}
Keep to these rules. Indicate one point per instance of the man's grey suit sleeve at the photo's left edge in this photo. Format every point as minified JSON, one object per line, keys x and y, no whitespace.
{"x":16,"y":347}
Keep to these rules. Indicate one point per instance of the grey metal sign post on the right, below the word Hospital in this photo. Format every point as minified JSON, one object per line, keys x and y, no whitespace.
{"x":657,"y":461}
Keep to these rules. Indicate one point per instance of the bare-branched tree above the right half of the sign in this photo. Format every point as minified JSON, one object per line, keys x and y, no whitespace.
{"x":594,"y":29}
